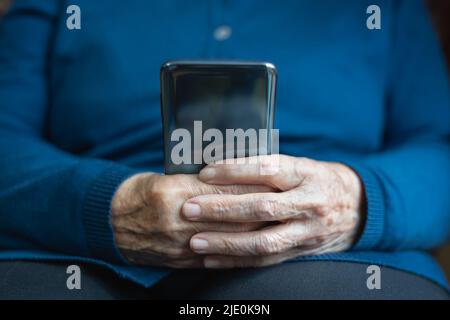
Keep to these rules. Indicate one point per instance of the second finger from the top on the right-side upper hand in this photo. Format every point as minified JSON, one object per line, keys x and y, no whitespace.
{"x":246,"y":207}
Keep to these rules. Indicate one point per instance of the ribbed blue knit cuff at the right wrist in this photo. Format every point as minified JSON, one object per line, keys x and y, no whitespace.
{"x":374,"y":224}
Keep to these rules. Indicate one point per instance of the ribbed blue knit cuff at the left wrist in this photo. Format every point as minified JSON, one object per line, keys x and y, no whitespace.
{"x":97,"y":213}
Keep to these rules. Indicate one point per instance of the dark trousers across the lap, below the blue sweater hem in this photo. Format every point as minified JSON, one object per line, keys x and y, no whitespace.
{"x":293,"y":280}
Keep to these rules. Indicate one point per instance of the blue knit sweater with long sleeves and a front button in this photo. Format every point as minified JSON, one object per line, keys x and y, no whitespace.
{"x":79,"y":113}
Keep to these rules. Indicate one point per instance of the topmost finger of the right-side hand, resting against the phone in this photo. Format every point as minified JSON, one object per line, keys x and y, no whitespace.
{"x":277,"y":171}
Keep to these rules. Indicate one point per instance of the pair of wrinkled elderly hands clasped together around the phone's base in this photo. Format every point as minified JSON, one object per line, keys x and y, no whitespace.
{"x":254,"y":214}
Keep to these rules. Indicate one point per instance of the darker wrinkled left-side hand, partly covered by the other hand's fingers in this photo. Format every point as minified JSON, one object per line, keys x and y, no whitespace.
{"x":148,"y":226}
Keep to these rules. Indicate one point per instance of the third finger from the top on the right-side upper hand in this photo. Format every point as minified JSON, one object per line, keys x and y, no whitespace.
{"x":271,"y":240}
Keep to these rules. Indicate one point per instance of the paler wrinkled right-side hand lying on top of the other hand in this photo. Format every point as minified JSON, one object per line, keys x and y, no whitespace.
{"x":319,"y":208}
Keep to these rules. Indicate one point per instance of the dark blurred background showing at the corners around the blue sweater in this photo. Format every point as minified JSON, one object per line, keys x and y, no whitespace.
{"x":440,"y":11}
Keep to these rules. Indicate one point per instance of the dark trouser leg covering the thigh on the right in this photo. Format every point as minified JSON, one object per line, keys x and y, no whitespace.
{"x":316,"y":280}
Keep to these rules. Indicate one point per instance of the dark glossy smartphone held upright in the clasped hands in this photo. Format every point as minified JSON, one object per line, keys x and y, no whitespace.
{"x":205,"y":103}
